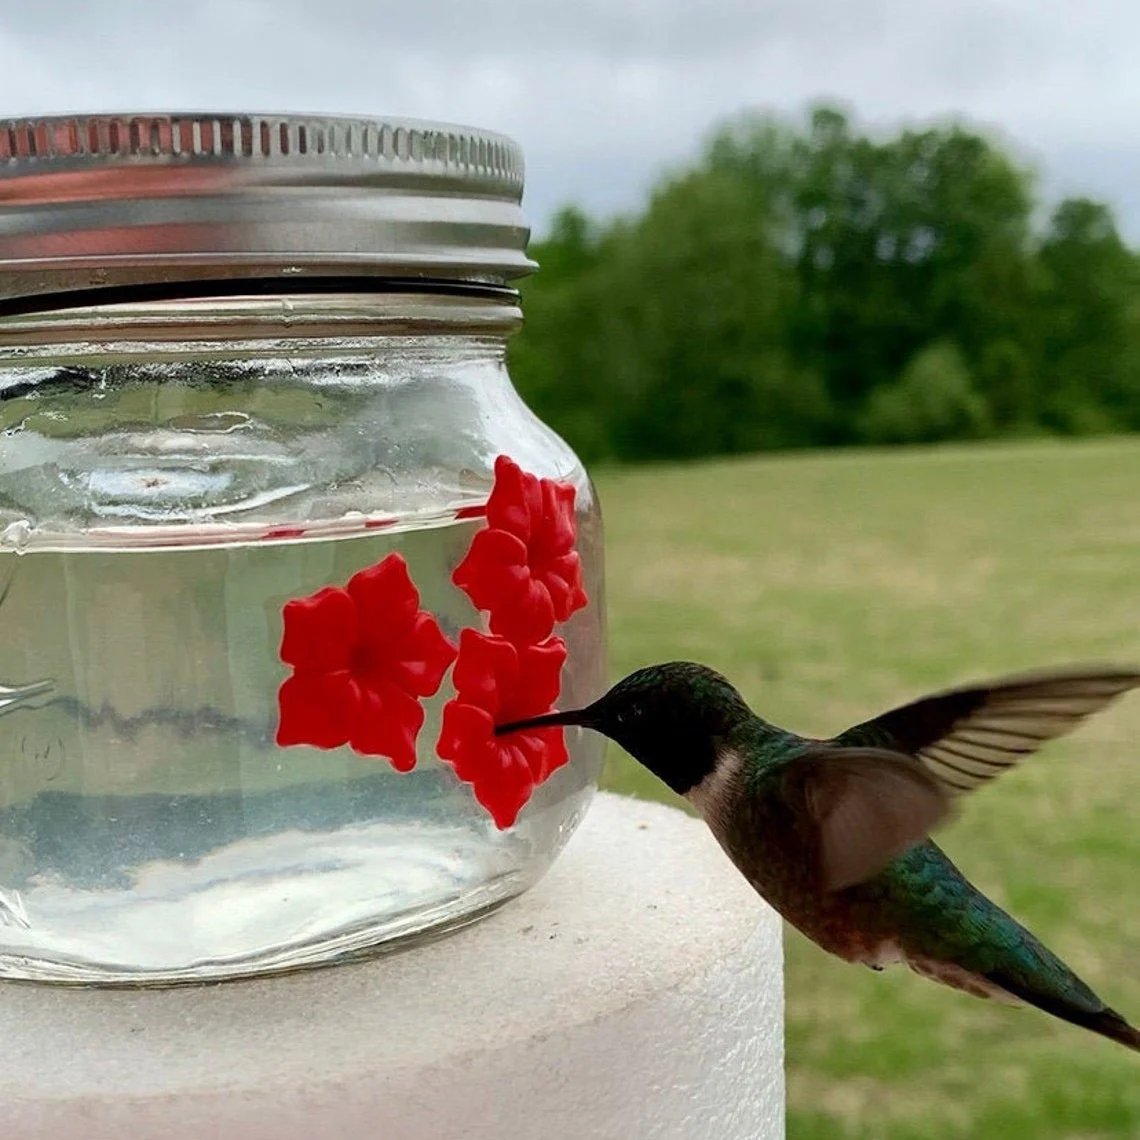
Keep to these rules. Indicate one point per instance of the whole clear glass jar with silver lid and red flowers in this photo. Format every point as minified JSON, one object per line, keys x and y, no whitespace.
{"x":246,"y":362}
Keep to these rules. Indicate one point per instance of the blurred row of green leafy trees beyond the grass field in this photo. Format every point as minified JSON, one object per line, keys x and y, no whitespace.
{"x":809,"y":284}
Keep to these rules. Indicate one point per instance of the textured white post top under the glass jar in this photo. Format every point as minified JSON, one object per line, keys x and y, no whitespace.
{"x":637,"y":992}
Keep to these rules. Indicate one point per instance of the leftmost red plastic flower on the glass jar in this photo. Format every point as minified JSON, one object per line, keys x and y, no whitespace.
{"x":362,"y":659}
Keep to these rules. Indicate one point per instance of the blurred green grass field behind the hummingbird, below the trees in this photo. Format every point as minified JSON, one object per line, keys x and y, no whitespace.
{"x":832,"y":588}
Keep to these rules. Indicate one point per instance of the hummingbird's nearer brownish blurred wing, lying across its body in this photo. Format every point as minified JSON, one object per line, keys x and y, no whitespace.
{"x":869,"y":807}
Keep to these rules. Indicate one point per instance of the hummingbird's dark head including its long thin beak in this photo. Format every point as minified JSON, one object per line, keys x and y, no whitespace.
{"x":673,"y":719}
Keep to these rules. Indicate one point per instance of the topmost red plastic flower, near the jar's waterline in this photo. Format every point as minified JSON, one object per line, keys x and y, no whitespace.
{"x":524,"y":567}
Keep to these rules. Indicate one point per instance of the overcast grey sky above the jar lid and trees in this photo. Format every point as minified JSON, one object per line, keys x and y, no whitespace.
{"x":607,"y":94}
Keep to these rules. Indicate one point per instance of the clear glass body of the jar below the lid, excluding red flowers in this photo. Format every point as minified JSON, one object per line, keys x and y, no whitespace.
{"x":170,"y":477}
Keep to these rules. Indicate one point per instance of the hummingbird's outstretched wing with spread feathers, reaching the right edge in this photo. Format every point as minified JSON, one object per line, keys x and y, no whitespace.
{"x":967,"y":737}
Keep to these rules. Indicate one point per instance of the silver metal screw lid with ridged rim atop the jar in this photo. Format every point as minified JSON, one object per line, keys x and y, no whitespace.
{"x":96,"y":201}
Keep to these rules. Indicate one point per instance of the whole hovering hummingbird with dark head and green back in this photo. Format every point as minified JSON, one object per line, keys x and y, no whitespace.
{"x":835,"y":833}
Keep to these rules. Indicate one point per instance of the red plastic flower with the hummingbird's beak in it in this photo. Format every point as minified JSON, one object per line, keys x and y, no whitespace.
{"x":496,"y":682}
